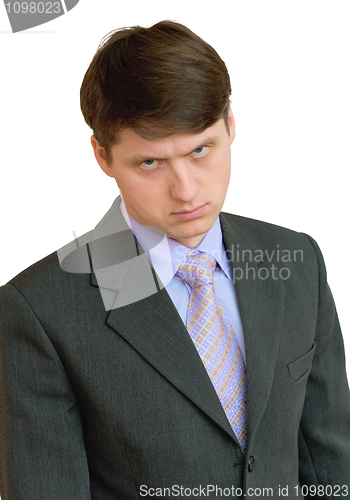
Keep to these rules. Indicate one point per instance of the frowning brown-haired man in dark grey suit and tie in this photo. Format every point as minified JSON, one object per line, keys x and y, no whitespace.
{"x":173,"y":351}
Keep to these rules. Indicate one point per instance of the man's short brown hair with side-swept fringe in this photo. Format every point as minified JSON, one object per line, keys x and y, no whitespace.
{"x":157,"y":81}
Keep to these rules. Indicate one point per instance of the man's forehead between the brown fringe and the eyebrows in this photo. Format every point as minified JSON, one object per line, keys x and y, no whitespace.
{"x":132,"y":147}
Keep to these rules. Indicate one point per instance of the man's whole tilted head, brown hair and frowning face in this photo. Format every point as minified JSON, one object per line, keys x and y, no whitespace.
{"x":157,"y":100}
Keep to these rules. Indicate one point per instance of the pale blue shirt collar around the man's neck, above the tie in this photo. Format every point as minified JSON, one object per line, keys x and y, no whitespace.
{"x":166,"y":254}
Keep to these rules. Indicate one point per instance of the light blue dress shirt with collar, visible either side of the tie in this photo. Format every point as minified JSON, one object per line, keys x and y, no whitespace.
{"x":166,"y":255}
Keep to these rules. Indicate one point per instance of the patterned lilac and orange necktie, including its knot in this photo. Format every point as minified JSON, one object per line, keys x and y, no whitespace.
{"x":216,"y":343}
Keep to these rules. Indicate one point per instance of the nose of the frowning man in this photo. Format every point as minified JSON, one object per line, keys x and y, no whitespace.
{"x":183,"y":182}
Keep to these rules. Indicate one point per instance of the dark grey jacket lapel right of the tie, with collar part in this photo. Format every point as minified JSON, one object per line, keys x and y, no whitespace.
{"x":261,"y":308}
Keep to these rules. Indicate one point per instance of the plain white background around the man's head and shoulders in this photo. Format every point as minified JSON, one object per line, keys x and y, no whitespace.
{"x":289,"y":65}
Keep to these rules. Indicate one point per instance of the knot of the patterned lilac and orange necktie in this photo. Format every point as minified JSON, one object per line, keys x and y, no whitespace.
{"x":197,"y":269}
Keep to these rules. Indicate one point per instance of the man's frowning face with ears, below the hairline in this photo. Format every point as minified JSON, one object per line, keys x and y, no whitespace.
{"x":178,"y":183}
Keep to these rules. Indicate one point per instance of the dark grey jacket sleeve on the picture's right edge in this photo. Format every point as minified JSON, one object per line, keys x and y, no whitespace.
{"x":324,"y":437}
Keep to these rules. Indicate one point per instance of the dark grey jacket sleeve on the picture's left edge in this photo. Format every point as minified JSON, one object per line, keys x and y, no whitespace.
{"x":42,"y":453}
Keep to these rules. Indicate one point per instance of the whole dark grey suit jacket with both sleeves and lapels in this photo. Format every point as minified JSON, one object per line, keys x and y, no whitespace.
{"x":103,"y":401}
